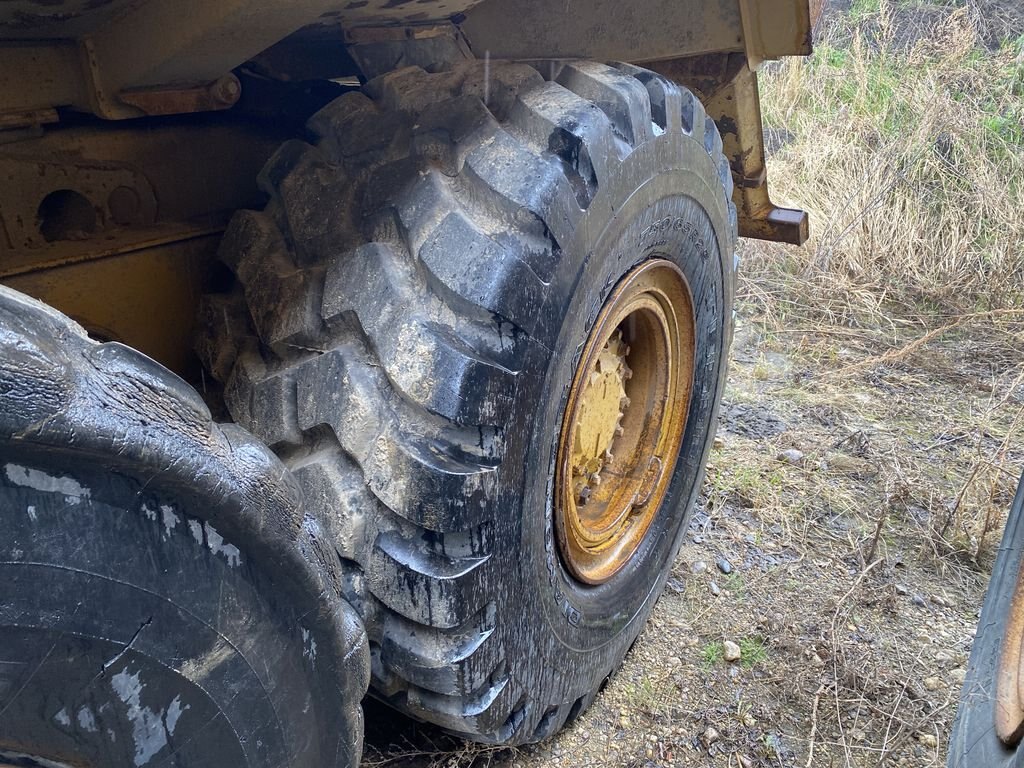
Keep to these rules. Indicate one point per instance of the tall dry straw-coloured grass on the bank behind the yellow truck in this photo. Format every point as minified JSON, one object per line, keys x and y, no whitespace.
{"x":907,"y":145}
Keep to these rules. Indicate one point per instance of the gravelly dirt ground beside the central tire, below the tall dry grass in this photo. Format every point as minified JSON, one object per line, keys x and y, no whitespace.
{"x":840,"y":544}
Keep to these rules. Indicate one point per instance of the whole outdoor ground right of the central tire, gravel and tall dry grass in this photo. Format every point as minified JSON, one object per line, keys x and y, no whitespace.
{"x":873,"y":433}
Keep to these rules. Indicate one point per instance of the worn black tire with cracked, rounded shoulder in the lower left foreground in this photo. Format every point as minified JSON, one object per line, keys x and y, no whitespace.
{"x":164,"y":600}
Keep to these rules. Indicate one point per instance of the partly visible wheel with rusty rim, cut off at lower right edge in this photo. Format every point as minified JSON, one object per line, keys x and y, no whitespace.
{"x":975,"y":740}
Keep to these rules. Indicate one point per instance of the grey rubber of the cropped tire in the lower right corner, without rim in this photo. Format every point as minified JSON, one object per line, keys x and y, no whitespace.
{"x":974,"y":741}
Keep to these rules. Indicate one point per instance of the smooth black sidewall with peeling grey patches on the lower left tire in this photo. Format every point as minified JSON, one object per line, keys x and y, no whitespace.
{"x":135,"y":584}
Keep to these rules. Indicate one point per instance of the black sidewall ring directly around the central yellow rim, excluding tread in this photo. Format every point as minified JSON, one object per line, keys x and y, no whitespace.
{"x":641,"y":216}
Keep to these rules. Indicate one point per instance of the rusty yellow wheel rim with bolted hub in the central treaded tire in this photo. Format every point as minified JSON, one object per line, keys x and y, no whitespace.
{"x":625,"y":421}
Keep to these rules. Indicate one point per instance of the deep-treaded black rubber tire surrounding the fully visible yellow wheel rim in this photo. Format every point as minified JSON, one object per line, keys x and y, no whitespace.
{"x":420,"y":289}
